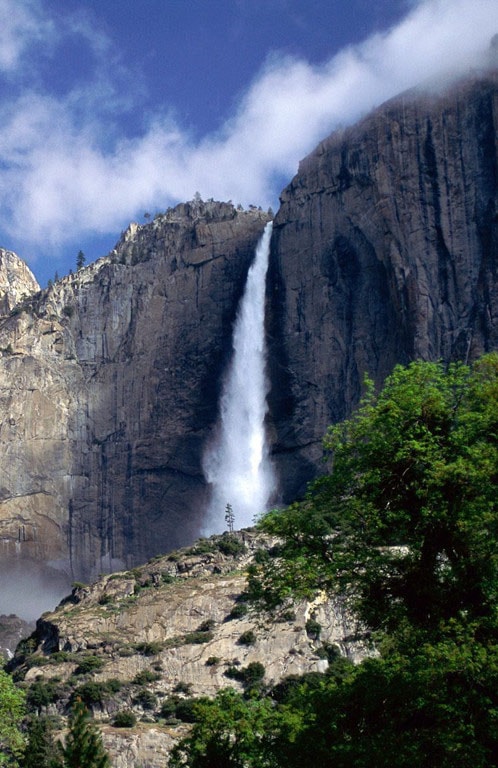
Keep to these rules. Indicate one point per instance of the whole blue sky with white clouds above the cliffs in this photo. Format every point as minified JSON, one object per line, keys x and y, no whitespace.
{"x":114,"y":108}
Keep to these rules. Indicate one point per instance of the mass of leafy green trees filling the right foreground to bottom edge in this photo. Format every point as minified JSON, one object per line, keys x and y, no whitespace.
{"x":405,"y":525}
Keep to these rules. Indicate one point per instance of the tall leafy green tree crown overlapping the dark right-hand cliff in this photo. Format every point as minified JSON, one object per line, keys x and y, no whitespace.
{"x":405,"y":522}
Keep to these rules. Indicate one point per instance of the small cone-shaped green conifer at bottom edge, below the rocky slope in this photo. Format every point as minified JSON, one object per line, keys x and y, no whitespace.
{"x":83,"y":745}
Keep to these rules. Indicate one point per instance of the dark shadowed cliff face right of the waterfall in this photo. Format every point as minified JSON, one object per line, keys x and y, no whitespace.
{"x":385,"y":250}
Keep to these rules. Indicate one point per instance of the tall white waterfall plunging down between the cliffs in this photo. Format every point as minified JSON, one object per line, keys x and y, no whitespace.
{"x":237,"y":465}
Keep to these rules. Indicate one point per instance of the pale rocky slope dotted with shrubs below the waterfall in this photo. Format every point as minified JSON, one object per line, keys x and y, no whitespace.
{"x":148,"y":641}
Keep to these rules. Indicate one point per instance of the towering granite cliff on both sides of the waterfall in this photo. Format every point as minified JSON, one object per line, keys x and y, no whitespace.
{"x":384,"y":250}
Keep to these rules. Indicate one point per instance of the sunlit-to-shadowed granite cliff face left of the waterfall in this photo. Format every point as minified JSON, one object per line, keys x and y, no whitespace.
{"x":109,"y":384}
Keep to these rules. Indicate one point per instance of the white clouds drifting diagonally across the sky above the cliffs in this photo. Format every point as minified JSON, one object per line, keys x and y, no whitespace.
{"x":65,"y":170}
